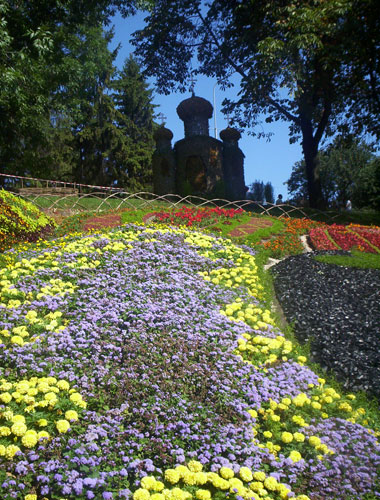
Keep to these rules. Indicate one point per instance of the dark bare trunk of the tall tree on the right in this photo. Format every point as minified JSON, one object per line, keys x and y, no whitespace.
{"x":310,"y":152}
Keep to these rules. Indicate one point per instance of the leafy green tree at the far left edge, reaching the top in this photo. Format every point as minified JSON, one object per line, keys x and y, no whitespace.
{"x":33,"y":50}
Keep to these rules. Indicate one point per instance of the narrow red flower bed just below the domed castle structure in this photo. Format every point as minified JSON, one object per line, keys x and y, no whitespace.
{"x":196,"y":217}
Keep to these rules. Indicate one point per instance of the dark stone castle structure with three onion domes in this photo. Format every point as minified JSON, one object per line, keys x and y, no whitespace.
{"x":198,"y":164}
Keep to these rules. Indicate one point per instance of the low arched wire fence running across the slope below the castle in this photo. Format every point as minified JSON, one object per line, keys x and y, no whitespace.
{"x":68,"y":198}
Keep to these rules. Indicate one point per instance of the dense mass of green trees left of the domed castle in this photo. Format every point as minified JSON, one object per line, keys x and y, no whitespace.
{"x":61,"y":113}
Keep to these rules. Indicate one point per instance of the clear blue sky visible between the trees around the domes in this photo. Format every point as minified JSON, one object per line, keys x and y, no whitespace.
{"x":266,"y":161}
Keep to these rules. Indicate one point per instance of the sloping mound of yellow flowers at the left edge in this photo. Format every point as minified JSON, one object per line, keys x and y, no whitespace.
{"x":20,"y":221}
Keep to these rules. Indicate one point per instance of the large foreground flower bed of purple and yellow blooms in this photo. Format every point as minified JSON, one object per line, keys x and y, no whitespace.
{"x":141,"y":363}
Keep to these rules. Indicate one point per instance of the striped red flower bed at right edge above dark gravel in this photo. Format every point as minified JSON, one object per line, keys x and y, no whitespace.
{"x":336,"y":237}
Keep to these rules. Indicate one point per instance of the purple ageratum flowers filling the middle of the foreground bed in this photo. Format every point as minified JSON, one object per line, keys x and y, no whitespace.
{"x":146,"y":340}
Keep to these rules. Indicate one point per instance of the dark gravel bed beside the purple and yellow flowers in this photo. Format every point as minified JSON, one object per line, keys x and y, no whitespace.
{"x":338,"y":309}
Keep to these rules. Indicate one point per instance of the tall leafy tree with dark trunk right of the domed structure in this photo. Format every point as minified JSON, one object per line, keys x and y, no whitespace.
{"x":293,"y":58}
